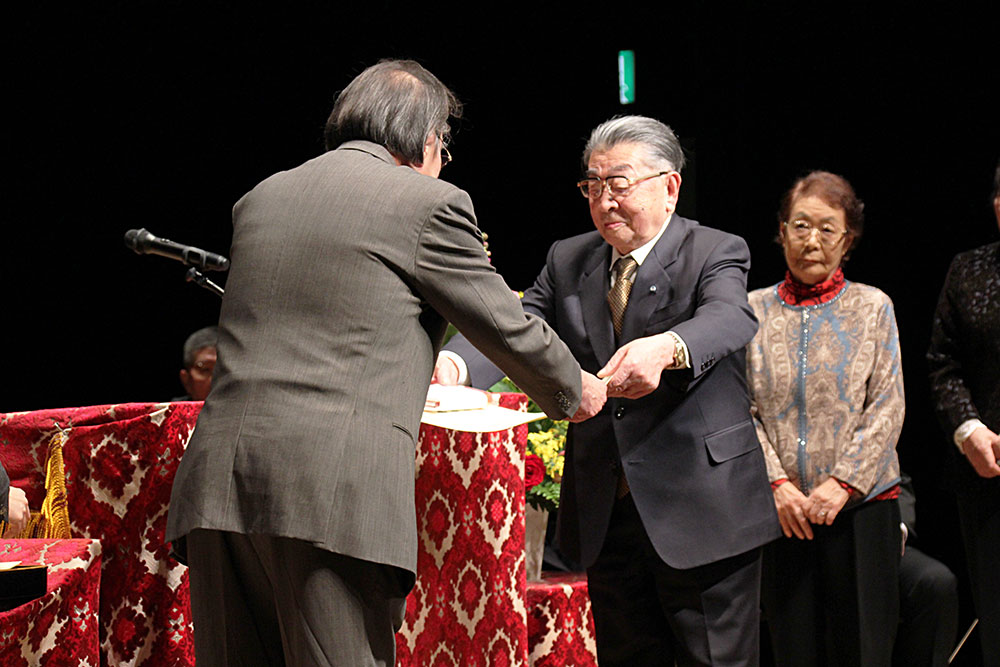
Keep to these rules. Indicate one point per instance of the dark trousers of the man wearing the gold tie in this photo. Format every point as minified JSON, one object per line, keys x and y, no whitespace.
{"x":648,"y":613}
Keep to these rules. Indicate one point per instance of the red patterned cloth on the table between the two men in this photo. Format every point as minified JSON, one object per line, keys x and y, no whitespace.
{"x":468,"y":606}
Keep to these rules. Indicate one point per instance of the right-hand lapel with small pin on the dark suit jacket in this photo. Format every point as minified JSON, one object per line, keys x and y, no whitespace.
{"x":651,"y":289}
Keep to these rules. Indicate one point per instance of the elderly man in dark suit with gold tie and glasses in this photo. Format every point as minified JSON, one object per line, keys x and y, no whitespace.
{"x":665,"y":499}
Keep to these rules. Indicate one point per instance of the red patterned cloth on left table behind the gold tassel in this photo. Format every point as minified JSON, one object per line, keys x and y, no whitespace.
{"x":120,"y":462}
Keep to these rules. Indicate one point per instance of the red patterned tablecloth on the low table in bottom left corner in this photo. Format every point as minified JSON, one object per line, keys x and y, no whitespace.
{"x":59,"y":628}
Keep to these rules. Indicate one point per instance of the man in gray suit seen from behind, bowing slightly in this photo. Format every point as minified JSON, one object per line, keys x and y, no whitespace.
{"x":294,"y":502}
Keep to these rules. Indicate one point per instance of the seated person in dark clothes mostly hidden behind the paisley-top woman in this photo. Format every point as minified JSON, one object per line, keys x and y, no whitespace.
{"x":928,"y":597}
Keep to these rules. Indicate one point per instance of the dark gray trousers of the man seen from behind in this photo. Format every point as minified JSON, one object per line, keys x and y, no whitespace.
{"x":264,"y":600}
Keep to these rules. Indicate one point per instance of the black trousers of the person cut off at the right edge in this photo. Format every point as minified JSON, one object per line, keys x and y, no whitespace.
{"x":979,"y":511}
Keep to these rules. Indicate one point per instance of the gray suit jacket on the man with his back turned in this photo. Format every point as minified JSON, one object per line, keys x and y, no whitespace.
{"x":344,"y":272}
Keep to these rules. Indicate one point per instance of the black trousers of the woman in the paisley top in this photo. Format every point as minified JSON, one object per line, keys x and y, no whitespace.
{"x":833,"y":601}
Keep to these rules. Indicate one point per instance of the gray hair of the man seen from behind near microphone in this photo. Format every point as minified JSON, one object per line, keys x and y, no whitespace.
{"x":395,"y":103}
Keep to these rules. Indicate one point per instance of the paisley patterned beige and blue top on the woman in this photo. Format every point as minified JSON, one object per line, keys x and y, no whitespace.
{"x":826,"y":387}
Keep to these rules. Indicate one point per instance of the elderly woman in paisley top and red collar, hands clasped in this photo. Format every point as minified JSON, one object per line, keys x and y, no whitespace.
{"x":827,"y":396}
